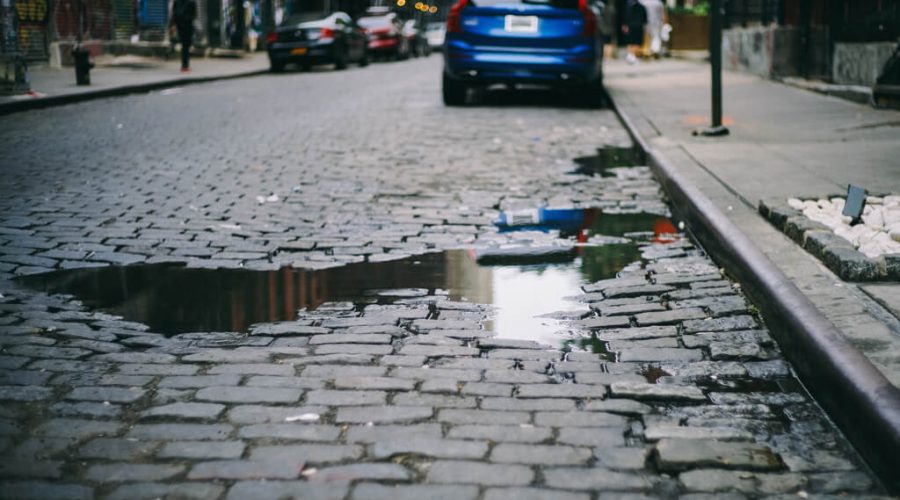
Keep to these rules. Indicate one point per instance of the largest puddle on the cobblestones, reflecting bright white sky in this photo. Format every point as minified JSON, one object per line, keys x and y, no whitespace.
{"x":521,"y":284}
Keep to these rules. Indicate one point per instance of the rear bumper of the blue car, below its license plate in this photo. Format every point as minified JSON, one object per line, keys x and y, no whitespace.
{"x":576,"y":65}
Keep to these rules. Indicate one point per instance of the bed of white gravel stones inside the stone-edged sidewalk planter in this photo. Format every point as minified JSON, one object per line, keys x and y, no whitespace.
{"x":879,"y":232}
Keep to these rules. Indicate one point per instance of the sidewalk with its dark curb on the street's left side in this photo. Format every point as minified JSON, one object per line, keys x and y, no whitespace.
{"x":124,"y":75}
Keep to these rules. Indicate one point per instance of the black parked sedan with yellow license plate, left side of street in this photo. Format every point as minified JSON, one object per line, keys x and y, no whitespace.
{"x":317,"y":38}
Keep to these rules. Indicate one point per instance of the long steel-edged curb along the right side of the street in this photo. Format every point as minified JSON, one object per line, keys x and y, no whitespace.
{"x":863,"y":403}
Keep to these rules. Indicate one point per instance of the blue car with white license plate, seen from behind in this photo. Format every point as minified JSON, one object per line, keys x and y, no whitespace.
{"x":554,"y":43}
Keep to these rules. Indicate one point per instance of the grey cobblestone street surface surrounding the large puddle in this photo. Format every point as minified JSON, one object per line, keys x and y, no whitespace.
{"x":413,"y":397}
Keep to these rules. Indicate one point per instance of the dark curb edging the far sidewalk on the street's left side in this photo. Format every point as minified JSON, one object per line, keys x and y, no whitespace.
{"x":59,"y":100}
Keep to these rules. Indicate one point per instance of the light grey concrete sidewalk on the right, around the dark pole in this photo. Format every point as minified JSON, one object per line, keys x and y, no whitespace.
{"x":784,"y":143}
